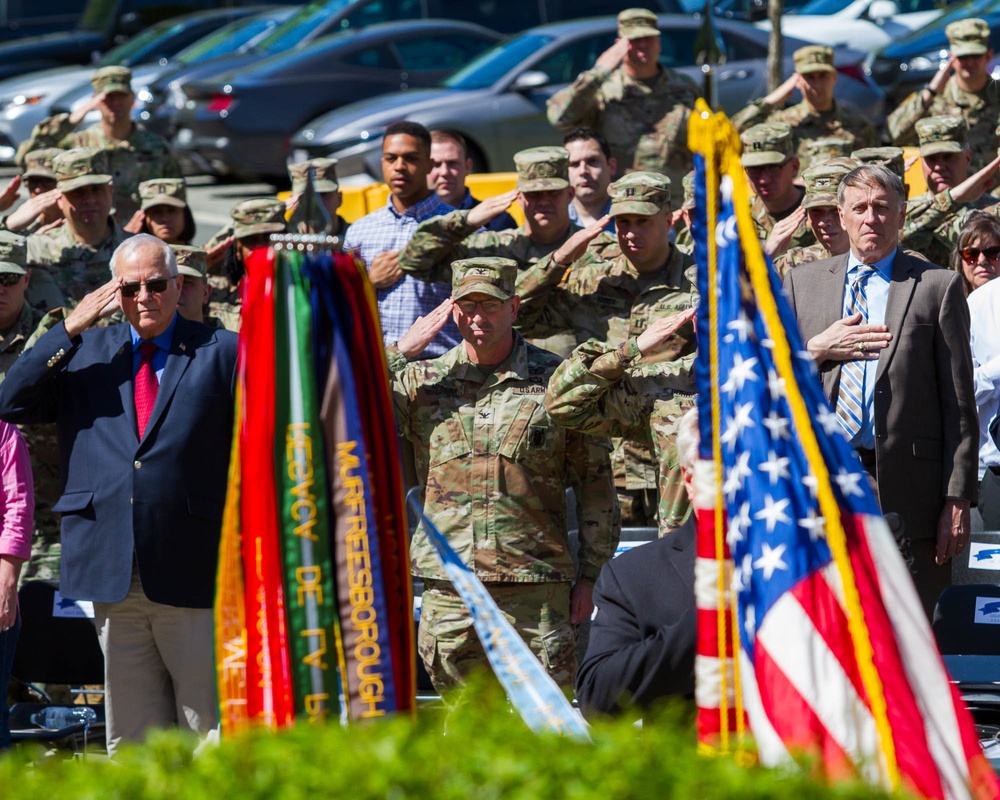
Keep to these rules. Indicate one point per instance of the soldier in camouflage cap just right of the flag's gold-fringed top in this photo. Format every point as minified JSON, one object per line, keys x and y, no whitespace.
{"x":772,"y":166}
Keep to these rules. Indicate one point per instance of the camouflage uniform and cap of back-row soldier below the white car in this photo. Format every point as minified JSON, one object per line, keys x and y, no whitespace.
{"x":840,"y":123}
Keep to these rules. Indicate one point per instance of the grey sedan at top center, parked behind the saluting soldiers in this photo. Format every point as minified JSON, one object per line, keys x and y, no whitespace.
{"x":498,"y":101}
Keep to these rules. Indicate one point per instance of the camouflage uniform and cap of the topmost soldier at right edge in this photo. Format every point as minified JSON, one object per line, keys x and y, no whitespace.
{"x":981,"y":109}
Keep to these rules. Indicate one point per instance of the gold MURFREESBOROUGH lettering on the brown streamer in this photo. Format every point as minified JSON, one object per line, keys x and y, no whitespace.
{"x":363,"y":617}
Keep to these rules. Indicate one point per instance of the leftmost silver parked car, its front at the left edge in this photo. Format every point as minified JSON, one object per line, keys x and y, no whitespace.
{"x":26,"y":100}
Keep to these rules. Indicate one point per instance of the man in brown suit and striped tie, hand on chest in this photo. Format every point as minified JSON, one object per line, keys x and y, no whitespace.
{"x":889,"y":334}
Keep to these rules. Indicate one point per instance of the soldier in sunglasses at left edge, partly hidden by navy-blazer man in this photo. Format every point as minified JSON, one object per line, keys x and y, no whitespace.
{"x":17,"y":320}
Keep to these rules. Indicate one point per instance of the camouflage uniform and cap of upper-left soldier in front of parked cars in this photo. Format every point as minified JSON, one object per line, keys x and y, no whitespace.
{"x":141,"y":157}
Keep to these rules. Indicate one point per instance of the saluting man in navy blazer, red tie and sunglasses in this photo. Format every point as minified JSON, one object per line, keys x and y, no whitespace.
{"x":144,"y":412}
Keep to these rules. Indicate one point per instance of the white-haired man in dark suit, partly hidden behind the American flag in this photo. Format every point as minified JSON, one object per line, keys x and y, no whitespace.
{"x":643,"y":633}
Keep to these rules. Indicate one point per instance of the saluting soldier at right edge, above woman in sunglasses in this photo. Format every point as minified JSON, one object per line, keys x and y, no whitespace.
{"x":931,"y":226}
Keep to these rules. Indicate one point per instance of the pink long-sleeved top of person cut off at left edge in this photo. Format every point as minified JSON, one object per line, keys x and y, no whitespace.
{"x":17,"y":494}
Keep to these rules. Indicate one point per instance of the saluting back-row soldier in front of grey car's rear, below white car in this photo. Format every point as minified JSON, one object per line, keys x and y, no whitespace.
{"x":818,"y":122}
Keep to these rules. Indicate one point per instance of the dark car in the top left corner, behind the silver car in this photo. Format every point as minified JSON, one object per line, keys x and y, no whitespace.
{"x":105,"y":24}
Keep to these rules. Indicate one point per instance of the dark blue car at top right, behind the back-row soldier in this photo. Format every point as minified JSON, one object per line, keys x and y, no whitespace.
{"x":906,"y":64}
